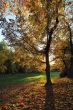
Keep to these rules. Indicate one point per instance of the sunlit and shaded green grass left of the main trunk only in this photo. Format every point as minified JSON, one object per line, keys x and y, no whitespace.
{"x":12,"y":79}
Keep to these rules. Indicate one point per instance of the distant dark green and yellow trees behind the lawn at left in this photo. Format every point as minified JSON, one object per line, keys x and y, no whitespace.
{"x":8,"y":64}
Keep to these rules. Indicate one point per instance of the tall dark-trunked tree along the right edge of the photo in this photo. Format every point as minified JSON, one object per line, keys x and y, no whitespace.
{"x":66,"y":28}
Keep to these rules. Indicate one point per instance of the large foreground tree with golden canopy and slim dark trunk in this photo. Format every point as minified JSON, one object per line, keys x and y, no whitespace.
{"x":43,"y":26}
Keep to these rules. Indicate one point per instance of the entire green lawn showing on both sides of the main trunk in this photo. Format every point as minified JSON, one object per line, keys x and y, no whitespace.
{"x":23,"y":78}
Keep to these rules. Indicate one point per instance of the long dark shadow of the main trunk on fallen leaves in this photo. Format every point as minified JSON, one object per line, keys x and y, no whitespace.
{"x":49,"y":99}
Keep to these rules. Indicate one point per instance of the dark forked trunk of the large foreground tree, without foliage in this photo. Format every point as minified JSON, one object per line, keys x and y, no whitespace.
{"x":49,"y":33}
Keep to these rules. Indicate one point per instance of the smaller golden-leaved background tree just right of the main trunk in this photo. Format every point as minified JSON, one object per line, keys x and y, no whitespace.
{"x":61,"y":53}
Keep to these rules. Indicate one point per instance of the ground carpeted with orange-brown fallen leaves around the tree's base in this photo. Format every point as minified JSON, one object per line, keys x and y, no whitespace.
{"x":34,"y":96}
